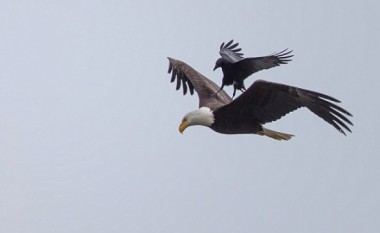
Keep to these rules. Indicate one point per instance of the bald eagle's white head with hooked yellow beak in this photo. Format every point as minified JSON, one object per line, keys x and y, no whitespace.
{"x":203,"y":116}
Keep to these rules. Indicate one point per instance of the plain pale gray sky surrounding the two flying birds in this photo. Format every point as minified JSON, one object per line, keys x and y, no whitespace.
{"x":89,"y":137}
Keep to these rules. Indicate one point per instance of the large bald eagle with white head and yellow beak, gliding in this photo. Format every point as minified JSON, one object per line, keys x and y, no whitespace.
{"x":261,"y":103}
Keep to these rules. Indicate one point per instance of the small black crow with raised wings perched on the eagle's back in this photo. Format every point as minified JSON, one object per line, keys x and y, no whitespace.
{"x":236,"y":68}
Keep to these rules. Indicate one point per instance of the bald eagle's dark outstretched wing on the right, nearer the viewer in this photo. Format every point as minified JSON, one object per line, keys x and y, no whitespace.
{"x":267,"y":101}
